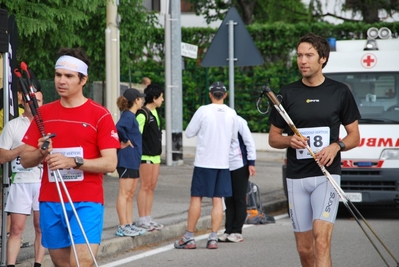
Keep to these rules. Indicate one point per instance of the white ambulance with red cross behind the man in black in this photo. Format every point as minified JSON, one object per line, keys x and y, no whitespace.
{"x":370,"y":172}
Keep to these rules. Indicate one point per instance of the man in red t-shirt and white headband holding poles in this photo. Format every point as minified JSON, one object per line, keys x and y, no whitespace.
{"x":84,"y":147}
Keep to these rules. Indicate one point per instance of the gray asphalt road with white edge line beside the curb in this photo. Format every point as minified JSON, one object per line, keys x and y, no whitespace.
{"x":274,"y":245}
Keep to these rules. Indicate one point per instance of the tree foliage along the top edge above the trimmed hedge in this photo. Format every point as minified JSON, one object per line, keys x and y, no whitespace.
{"x":292,"y":11}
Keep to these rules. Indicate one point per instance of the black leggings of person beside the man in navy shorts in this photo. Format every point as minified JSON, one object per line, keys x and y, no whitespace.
{"x":236,"y":205}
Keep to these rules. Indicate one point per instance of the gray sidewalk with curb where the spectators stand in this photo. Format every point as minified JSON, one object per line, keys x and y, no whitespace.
{"x":171,"y":202}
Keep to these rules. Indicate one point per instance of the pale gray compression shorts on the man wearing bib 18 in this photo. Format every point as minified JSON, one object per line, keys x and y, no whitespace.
{"x":312,"y":198}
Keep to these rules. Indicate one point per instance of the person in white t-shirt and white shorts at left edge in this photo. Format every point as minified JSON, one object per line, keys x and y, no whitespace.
{"x":25,"y":185}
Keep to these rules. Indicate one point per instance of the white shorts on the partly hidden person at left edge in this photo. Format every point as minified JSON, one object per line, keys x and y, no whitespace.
{"x":23,"y":198}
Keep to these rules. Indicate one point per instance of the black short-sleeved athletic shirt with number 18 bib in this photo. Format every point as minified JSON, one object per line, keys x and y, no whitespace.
{"x":318,"y":113}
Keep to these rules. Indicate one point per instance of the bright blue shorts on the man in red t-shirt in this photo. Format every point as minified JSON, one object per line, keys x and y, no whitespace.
{"x":55,"y":233}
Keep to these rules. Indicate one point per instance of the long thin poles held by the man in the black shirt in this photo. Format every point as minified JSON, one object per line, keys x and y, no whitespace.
{"x":270,"y":94}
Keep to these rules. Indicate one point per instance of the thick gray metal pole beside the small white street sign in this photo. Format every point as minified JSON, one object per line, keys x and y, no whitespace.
{"x":176,"y":148}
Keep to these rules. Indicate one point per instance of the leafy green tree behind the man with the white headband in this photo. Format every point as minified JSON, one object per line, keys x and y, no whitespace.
{"x":48,"y":25}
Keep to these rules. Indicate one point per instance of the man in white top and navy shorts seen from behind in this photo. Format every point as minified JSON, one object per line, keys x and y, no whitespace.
{"x":215,"y":126}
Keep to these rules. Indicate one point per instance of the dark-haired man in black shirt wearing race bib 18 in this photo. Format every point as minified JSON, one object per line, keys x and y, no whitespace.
{"x":318,"y":106}
